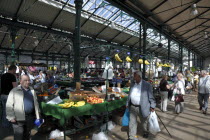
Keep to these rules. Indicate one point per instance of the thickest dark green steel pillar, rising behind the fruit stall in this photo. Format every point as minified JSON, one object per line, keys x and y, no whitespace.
{"x":77,"y":40}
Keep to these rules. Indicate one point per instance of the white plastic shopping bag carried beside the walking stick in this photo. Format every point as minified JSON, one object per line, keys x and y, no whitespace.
{"x":153,"y":123}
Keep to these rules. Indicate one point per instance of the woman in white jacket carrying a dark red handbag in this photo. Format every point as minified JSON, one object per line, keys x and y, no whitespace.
{"x":179,"y":92}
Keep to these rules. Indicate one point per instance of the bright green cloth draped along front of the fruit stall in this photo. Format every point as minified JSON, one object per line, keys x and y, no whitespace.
{"x":64,"y":114}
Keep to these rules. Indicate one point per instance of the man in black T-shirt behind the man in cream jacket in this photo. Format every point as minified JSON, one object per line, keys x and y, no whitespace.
{"x":8,"y":82}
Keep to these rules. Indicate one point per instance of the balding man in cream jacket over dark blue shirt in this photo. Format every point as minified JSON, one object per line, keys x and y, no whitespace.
{"x":21,"y":109}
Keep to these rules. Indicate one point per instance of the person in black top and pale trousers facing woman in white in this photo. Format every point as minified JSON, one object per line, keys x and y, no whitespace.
{"x":164,"y":88}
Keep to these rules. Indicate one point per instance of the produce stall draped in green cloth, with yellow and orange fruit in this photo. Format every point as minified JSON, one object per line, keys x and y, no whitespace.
{"x":80,"y":104}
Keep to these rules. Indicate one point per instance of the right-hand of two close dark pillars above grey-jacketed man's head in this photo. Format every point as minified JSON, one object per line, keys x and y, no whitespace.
{"x":144,"y":48}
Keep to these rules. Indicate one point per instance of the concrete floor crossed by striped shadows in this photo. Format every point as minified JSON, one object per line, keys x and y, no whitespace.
{"x":189,"y":125}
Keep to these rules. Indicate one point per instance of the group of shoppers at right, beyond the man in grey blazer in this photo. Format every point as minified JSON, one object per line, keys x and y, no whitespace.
{"x":183,"y":83}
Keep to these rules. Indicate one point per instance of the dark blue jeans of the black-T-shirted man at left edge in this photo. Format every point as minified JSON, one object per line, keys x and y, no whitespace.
{"x":4,"y":121}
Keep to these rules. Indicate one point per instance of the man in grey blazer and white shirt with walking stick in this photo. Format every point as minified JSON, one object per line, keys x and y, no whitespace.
{"x":140,"y":102}
